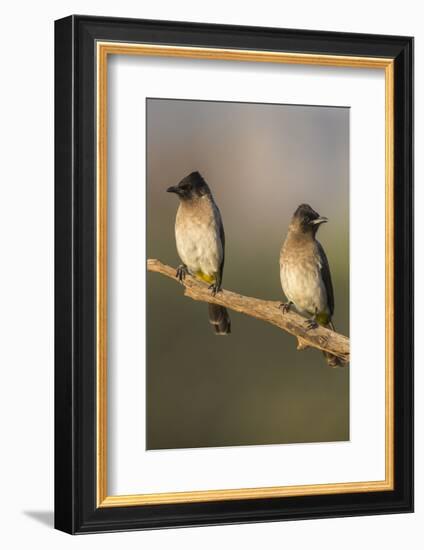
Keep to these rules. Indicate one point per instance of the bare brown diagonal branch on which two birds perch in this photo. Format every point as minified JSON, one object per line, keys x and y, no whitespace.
{"x":265,"y":310}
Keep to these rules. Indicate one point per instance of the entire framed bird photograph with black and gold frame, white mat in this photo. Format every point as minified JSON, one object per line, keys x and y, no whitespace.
{"x":234,"y":274}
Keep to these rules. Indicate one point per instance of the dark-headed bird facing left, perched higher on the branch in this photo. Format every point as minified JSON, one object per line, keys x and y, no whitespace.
{"x":200,"y":240}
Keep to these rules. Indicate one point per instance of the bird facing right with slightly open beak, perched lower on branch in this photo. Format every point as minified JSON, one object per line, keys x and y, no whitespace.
{"x":305,"y":272}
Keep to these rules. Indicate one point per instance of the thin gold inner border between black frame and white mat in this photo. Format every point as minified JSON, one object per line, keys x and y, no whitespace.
{"x":103,"y":50}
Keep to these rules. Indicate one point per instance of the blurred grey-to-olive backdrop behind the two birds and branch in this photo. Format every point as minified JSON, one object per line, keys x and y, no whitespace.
{"x":252,"y":387}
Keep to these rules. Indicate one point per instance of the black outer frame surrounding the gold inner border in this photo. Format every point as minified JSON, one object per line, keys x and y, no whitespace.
{"x":75,"y":275}
